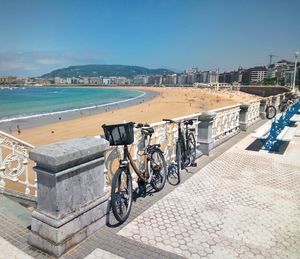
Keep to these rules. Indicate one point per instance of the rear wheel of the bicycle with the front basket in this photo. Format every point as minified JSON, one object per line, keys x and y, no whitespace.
{"x":159,"y":170}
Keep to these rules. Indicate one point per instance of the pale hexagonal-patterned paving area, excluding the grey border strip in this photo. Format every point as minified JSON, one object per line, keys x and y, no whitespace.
{"x":244,"y":204}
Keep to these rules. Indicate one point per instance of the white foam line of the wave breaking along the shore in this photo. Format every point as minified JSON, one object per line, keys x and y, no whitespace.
{"x":24,"y":117}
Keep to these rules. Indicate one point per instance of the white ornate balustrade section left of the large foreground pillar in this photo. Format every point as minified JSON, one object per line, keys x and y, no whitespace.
{"x":16,"y":172}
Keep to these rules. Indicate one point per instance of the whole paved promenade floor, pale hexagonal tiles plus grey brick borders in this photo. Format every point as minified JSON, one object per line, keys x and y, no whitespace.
{"x":241,"y":202}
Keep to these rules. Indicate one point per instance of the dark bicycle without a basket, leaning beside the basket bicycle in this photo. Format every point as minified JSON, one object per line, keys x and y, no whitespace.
{"x":185,"y":150}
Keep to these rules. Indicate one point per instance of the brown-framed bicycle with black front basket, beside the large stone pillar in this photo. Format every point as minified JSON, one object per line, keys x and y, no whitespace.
{"x":153,"y":174}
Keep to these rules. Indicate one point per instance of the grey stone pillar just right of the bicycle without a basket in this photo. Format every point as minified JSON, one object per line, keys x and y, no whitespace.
{"x":205,"y":132}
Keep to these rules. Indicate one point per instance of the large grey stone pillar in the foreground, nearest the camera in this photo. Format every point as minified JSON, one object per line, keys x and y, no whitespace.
{"x":71,"y":202}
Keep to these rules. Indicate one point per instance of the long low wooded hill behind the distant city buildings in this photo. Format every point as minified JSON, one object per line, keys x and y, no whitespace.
{"x":105,"y":70}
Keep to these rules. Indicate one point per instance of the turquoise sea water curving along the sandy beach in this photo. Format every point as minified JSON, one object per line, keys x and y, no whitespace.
{"x":31,"y":102}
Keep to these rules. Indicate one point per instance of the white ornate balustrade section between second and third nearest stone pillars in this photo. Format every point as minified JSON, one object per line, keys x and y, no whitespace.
{"x":225,"y":121}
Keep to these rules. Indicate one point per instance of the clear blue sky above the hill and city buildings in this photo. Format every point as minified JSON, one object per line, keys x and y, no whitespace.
{"x":37,"y":36}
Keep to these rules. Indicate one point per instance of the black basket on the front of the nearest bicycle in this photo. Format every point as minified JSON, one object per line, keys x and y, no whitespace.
{"x":119,"y":134}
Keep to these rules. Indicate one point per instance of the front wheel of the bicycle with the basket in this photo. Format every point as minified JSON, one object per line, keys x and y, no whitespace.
{"x":119,"y":196}
